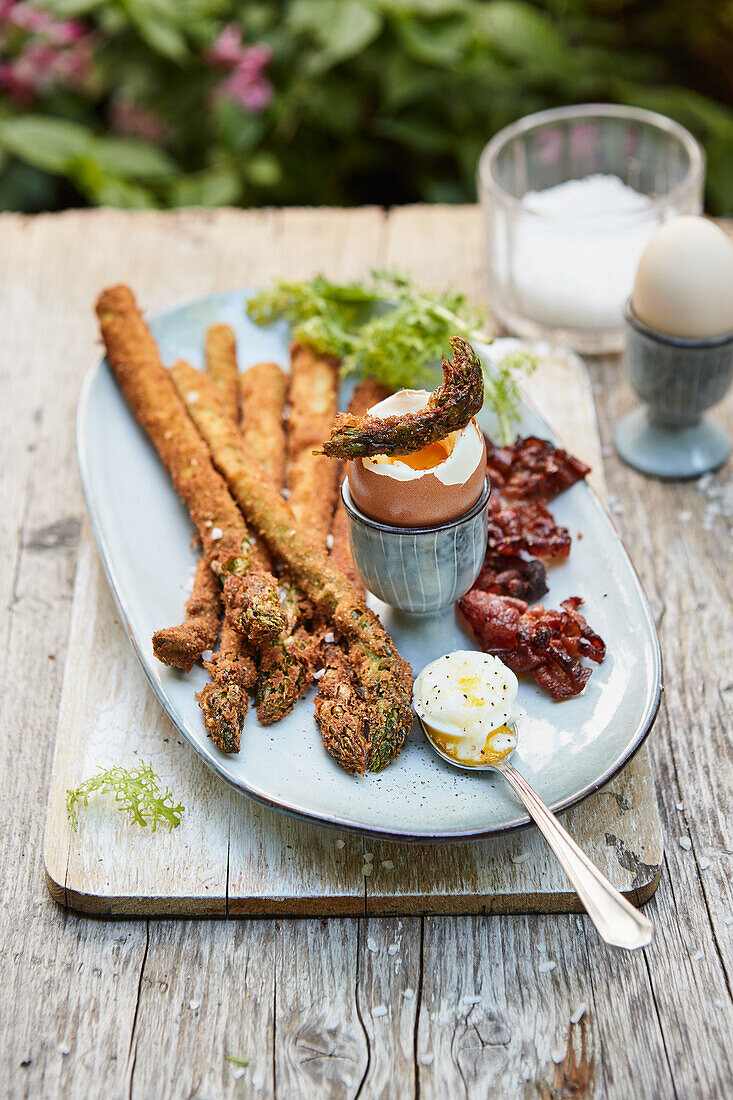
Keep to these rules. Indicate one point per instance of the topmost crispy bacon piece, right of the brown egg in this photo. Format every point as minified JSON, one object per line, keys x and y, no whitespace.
{"x":532,"y":468}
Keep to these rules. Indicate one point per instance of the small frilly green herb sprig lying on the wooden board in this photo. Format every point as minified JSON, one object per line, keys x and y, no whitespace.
{"x":136,"y":791}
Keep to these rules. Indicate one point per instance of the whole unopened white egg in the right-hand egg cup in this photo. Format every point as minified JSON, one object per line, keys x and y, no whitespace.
{"x":685,"y":280}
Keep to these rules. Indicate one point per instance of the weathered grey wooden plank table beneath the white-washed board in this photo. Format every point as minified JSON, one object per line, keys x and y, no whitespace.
{"x":151,"y":1009}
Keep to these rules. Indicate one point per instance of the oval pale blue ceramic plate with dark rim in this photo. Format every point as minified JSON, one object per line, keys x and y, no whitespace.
{"x":567,"y":751}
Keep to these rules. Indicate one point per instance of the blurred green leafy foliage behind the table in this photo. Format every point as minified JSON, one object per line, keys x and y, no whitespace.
{"x":375,"y":101}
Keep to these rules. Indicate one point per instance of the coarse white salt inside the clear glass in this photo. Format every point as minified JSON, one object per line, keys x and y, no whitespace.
{"x":574,"y":267}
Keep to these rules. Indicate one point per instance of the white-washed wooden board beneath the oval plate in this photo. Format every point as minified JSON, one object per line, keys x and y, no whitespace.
{"x":232,"y":856}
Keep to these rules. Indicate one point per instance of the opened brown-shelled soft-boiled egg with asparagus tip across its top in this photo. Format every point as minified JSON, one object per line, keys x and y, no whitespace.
{"x":431,"y":487}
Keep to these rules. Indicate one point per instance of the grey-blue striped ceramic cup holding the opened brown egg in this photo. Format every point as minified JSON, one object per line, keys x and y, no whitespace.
{"x":421,"y":570}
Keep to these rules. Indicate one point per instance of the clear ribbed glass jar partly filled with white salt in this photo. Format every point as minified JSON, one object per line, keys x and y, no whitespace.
{"x":571,"y":197}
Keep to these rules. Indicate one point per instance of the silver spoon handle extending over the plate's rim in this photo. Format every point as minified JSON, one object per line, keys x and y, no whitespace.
{"x":617,"y":920}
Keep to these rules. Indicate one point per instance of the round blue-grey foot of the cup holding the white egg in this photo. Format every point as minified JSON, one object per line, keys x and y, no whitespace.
{"x":671,"y":454}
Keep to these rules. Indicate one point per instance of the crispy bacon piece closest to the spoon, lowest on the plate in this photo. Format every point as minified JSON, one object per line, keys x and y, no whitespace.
{"x":548,"y":643}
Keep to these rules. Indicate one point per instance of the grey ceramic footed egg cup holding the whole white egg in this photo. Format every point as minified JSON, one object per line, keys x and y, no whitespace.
{"x":679,"y":380}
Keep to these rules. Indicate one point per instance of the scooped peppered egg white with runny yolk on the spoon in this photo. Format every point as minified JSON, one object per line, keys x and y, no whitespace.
{"x":467,"y":702}
